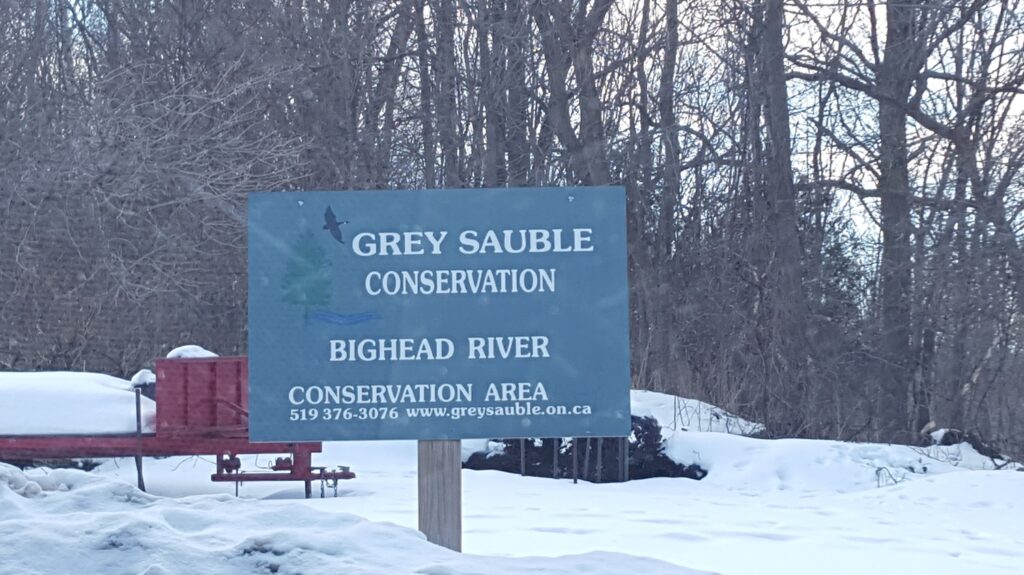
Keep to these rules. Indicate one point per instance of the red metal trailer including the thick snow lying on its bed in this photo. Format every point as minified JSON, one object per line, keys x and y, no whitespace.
{"x":201,"y":410}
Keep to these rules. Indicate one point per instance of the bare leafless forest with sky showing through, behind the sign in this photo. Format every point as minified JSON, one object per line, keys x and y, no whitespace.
{"x":825,"y":197}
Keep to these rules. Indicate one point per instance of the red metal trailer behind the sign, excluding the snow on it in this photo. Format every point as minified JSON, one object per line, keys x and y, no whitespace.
{"x":202,"y":410}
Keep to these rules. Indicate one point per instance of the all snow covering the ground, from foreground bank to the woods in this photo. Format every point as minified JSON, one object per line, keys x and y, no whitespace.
{"x":790,"y":507}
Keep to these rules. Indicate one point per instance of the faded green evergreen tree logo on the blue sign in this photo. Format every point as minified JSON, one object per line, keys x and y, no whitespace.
{"x":308,"y":276}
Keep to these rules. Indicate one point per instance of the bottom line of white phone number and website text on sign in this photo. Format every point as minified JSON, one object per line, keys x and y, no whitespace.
{"x":457,"y":413}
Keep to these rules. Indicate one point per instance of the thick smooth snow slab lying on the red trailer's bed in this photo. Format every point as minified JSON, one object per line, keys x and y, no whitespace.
{"x":69,"y":404}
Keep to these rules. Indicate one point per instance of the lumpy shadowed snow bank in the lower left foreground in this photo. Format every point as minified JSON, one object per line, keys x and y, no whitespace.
{"x":97,"y":525}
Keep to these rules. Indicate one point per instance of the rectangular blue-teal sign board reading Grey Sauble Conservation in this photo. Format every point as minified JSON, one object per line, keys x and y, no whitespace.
{"x":439,"y":315}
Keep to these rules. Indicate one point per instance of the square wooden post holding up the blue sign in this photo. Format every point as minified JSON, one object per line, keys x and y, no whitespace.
{"x":440,"y":470}
